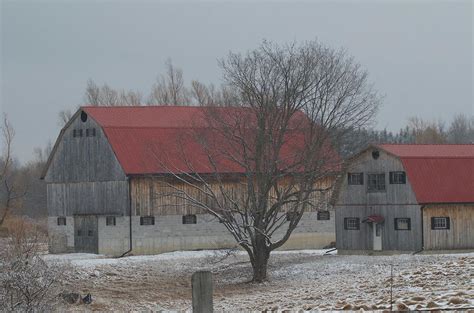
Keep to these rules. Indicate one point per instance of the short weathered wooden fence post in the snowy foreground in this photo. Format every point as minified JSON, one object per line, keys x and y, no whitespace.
{"x":201,"y":283}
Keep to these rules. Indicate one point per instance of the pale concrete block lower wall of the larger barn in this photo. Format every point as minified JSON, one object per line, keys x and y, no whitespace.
{"x":170,"y":234}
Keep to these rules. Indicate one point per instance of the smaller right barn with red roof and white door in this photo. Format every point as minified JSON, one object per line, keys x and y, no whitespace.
{"x":407,"y":198}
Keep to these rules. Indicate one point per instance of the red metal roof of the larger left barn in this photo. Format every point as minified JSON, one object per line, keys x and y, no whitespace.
{"x":164,"y":139}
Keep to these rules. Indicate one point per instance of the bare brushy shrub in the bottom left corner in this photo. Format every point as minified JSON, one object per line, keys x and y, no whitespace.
{"x":27,"y":282}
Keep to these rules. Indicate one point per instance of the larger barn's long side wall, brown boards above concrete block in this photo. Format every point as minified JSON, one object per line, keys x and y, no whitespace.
{"x":170,"y":234}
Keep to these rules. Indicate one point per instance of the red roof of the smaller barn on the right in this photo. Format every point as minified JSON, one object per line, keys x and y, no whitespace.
{"x":438,"y":173}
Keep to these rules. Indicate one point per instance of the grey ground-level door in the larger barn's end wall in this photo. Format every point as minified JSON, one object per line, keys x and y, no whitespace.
{"x":86,"y":238}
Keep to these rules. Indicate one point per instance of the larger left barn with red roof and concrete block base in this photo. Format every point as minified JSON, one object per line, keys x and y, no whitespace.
{"x":106,"y":192}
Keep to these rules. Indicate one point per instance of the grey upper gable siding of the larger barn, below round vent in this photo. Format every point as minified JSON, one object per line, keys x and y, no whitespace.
{"x":81,"y":159}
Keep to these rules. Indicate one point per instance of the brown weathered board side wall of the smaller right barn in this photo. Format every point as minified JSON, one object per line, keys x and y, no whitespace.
{"x":460,"y":235}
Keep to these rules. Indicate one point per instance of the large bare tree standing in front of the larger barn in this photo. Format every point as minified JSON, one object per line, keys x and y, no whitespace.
{"x":298,"y":99}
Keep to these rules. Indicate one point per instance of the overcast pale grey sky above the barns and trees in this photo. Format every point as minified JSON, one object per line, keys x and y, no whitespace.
{"x":418,"y":53}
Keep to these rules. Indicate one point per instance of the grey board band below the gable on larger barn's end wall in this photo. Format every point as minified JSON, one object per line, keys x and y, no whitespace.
{"x":65,"y":199}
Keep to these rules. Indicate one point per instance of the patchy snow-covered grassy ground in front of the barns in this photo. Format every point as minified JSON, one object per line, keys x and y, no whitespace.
{"x":298,"y":280}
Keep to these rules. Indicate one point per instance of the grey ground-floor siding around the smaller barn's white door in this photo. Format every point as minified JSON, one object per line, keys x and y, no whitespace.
{"x":362,"y":239}
